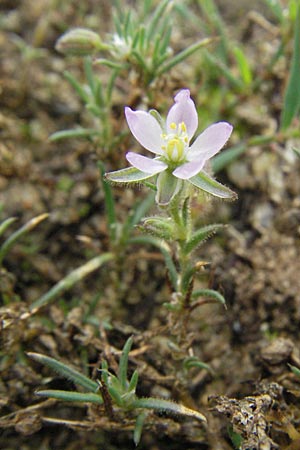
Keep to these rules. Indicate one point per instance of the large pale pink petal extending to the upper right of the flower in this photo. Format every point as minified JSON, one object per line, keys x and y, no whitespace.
{"x":210,"y":141}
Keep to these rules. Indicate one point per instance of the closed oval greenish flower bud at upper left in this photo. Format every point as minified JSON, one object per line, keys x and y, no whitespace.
{"x":79,"y":42}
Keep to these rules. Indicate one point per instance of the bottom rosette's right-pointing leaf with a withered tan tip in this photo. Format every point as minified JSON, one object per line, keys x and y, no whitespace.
{"x":167,"y":405}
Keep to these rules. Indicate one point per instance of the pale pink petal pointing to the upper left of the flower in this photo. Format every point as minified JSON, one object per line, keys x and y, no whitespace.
{"x":145,"y":129}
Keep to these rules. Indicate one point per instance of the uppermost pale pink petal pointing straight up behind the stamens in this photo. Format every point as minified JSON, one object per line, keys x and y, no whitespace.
{"x":185,"y":111}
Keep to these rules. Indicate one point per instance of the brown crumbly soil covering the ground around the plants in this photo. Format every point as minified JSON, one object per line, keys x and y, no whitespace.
{"x":250,"y":390}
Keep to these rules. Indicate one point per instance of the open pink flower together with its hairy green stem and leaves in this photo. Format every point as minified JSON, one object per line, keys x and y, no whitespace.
{"x":177,"y":174}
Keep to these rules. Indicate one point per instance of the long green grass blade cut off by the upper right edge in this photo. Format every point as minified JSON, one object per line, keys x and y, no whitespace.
{"x":291,"y":104}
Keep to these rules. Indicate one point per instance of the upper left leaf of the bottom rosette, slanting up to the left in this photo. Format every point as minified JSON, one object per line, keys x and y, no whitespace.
{"x":66,"y":371}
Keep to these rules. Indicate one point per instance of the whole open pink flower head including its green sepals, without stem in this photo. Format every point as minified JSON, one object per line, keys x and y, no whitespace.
{"x":176,"y":160}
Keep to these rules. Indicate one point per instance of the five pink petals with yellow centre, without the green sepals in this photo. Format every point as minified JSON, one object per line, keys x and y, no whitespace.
{"x":172,"y":145}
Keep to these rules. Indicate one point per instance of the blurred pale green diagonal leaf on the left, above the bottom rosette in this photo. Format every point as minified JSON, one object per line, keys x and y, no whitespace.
{"x":71,"y":279}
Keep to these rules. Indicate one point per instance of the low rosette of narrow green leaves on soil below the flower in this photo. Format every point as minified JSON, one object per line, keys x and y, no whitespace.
{"x":112,"y":391}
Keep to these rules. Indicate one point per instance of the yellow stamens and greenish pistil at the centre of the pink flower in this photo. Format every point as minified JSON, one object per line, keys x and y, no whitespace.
{"x":176,"y":143}
